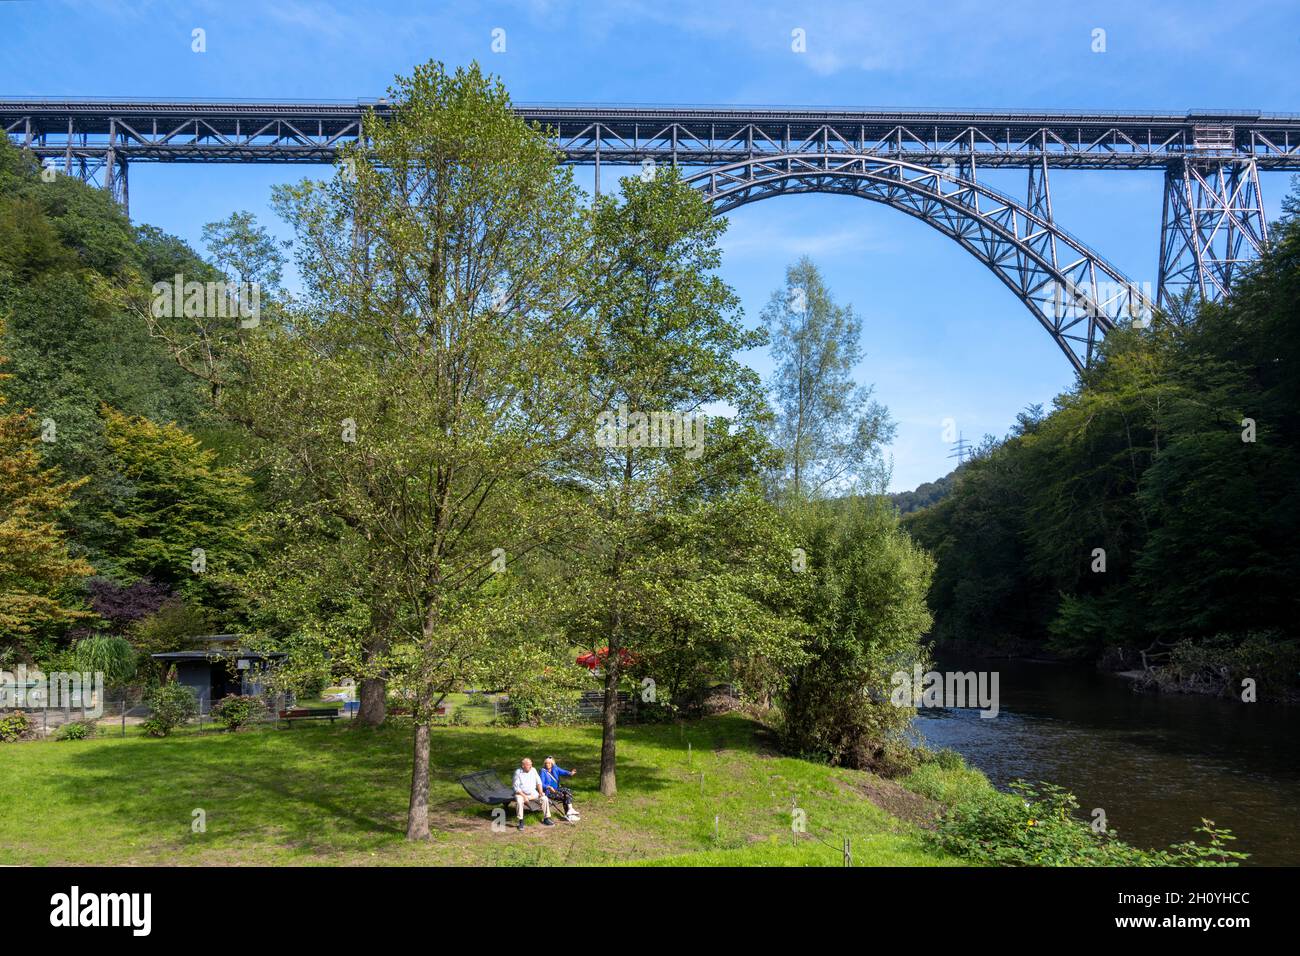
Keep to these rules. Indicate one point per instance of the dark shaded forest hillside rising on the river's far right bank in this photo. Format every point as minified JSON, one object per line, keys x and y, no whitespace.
{"x":1154,"y":511}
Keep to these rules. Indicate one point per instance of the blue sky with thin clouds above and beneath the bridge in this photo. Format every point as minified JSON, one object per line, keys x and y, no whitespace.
{"x":943,"y":338}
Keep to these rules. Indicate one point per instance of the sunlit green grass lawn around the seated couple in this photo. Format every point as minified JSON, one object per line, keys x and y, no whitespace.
{"x":337,"y":795}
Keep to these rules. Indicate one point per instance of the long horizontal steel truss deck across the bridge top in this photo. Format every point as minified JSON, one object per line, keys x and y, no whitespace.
{"x":289,"y":132}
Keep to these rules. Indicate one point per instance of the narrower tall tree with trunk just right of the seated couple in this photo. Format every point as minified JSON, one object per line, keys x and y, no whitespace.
{"x":669,"y":336}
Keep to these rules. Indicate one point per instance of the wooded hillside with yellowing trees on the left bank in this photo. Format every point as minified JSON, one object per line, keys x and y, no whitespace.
{"x":107,"y":490}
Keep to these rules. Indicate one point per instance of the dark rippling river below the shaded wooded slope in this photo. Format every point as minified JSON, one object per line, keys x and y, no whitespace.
{"x":1156,"y":764}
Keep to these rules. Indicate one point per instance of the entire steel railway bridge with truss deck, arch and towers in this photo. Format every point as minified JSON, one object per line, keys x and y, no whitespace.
{"x":924,"y":163}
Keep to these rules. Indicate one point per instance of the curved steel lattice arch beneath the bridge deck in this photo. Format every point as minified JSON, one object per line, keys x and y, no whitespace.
{"x":1074,"y":293}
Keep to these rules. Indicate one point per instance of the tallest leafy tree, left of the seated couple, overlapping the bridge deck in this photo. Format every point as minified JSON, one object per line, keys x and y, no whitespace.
{"x":415,"y":404}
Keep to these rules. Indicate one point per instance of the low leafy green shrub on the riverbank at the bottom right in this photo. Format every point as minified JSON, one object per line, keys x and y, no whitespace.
{"x":1037,"y":827}
